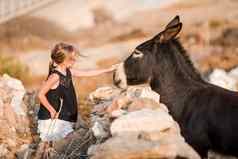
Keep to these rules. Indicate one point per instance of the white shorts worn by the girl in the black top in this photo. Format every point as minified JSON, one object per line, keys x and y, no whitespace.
{"x":54,"y":129}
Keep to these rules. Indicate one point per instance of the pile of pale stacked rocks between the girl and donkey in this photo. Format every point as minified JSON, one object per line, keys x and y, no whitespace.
{"x":133,"y":123}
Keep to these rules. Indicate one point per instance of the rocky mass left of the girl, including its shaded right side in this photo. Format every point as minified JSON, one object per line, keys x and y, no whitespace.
{"x":17,"y":118}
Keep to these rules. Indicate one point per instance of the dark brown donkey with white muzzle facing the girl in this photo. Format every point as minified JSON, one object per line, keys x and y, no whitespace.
{"x":207,"y":114}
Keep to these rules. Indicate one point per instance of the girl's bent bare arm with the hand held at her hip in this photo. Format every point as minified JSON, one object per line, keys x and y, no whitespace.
{"x":53,"y":79}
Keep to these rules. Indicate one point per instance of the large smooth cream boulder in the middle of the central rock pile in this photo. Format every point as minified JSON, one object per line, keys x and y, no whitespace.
{"x":146,"y":120}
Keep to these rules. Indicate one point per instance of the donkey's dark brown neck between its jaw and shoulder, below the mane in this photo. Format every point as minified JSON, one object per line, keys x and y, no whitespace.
{"x":172,"y":81}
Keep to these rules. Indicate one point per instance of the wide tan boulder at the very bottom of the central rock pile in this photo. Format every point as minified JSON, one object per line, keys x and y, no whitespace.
{"x":131,"y":146}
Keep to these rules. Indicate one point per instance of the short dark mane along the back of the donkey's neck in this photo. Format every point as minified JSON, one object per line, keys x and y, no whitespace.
{"x":187,"y":59}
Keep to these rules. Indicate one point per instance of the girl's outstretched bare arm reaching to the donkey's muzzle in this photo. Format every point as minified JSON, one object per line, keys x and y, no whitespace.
{"x":87,"y":73}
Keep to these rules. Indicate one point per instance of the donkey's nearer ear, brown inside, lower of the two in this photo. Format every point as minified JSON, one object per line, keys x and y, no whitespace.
{"x":169,"y":33}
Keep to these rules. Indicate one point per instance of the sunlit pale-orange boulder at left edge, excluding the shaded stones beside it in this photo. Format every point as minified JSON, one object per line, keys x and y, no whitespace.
{"x":15,"y":125}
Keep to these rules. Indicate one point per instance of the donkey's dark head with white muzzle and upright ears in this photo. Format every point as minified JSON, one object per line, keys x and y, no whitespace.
{"x":138,"y":68}
